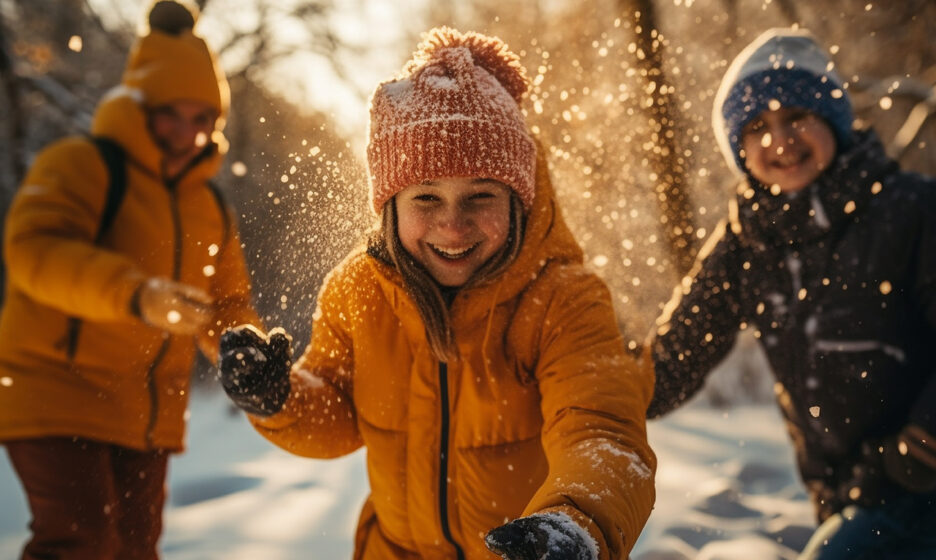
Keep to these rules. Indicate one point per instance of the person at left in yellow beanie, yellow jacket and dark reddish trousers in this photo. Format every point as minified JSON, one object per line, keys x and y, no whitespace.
{"x":98,"y":336}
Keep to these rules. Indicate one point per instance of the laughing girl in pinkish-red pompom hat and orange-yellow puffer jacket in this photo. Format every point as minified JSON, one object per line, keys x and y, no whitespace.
{"x":465,"y":345}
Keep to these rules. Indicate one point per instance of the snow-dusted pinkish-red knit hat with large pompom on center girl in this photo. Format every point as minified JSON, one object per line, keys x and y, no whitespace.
{"x":454,"y":111}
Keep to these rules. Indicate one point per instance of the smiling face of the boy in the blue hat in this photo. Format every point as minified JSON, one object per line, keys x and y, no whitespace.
{"x":788,"y":147}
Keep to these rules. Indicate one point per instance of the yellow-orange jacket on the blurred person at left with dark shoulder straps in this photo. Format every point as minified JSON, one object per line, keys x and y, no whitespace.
{"x":122,"y":381}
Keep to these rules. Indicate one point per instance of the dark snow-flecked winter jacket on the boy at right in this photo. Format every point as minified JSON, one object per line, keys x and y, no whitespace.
{"x":838,"y":282}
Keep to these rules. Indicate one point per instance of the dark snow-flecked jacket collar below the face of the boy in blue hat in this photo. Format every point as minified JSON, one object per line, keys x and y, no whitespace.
{"x":836,"y":197}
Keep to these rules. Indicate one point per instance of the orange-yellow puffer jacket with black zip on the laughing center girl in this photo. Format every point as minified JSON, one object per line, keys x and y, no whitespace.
{"x":544,"y":411}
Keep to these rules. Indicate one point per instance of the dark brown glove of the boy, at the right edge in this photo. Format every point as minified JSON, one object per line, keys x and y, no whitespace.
{"x":910,"y":459}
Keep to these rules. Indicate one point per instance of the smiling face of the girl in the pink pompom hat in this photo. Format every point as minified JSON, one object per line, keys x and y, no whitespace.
{"x":453,"y":225}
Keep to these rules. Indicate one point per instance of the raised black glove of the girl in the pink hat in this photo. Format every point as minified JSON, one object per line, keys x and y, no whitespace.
{"x":255,"y":368}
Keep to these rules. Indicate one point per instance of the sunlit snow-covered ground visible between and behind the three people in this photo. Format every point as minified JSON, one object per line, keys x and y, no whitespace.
{"x":726,"y":490}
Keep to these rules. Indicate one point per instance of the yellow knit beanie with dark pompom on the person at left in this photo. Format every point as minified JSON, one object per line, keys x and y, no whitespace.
{"x":171,"y":63}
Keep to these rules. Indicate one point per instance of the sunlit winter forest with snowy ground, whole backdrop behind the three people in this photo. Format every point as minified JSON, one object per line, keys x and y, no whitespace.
{"x":622,"y":100}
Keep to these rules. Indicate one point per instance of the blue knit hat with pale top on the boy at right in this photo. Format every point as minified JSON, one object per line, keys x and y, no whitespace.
{"x":786,"y":66}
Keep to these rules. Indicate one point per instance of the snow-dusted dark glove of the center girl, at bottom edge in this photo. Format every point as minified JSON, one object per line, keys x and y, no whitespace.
{"x":542,"y":536}
